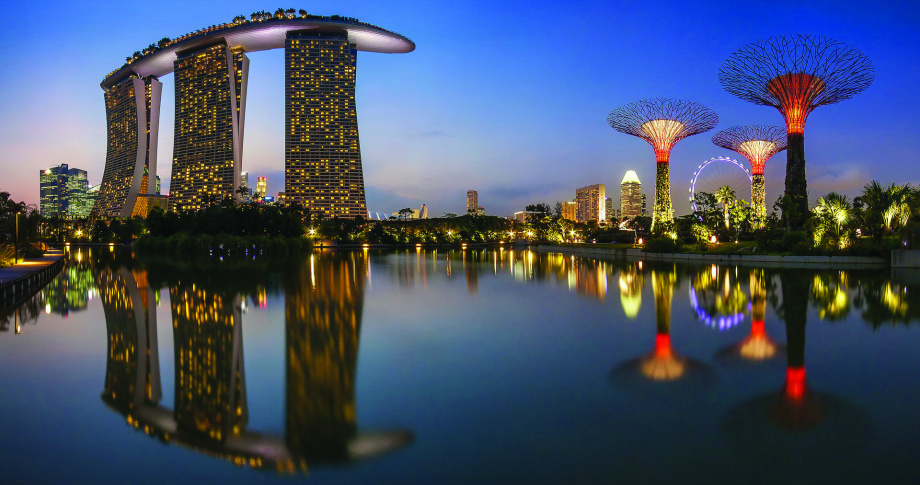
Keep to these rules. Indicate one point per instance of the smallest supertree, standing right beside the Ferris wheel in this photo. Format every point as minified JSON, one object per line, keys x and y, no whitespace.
{"x":757,"y":143}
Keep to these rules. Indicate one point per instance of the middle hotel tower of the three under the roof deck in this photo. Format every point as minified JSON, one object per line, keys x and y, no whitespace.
{"x":210,"y":111}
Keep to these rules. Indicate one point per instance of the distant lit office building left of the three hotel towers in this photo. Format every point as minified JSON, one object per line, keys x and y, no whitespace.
{"x":63,"y":192}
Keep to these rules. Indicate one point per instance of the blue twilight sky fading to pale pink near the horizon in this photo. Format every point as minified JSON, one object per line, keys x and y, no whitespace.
{"x":505,"y":97}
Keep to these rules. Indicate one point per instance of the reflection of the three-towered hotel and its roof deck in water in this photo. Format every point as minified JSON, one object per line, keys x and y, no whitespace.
{"x":323,"y":305}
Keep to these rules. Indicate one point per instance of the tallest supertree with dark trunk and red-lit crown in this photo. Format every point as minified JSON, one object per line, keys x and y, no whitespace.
{"x":795,"y":75}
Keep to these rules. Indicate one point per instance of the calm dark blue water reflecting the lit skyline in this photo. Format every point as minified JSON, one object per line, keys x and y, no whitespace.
{"x":480,"y":366}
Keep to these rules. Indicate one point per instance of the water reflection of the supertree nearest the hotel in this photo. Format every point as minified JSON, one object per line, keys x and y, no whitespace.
{"x":663,"y":364}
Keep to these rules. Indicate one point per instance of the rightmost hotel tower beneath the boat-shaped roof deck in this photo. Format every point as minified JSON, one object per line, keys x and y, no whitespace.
{"x":322,"y":166}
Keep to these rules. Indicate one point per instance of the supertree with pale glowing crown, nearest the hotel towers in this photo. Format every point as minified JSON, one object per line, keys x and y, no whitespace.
{"x":662,"y":122}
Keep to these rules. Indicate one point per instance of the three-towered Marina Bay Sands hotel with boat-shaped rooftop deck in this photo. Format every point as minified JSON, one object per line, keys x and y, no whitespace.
{"x":322,"y":166}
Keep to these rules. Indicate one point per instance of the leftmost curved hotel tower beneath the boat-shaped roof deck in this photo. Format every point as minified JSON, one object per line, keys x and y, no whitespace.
{"x":132,"y":110}
